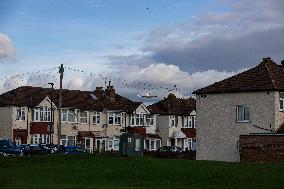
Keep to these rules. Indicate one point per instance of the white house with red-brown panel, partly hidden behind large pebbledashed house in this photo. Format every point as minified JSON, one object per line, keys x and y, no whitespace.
{"x":176,"y":121}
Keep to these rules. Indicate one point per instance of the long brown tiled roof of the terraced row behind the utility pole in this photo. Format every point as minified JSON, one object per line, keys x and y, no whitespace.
{"x":33,"y":96}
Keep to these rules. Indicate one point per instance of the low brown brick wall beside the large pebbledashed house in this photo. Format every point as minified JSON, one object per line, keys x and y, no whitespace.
{"x":266,"y":148}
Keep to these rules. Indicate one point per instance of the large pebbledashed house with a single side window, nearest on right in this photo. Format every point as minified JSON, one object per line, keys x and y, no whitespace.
{"x":251,"y":102}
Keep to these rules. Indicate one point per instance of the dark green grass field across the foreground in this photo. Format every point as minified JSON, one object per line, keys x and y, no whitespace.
{"x":93,"y":171}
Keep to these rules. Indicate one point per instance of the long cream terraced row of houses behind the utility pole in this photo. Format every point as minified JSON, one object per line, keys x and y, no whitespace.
{"x":92,"y":119}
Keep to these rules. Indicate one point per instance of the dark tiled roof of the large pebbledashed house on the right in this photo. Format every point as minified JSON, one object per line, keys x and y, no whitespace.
{"x":267,"y":76}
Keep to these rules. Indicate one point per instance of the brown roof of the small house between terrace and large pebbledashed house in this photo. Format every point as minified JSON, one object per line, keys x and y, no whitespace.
{"x":173,"y":106}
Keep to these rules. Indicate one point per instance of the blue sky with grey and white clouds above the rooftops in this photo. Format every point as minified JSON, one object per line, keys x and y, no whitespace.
{"x":170,"y":44}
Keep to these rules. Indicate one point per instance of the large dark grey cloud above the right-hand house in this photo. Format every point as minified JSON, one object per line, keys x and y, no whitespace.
{"x":227,"y":40}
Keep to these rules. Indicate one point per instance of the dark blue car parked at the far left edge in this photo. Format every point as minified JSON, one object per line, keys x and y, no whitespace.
{"x":7,"y":148}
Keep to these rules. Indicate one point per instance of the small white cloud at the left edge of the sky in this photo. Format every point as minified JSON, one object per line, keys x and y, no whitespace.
{"x":6,"y":48}
